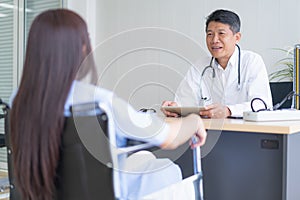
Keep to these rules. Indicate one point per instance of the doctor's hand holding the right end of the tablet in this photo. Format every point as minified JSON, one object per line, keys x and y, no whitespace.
{"x":216,"y":111}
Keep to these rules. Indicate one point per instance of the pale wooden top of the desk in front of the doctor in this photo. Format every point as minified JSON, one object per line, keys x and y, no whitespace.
{"x":277,"y":127}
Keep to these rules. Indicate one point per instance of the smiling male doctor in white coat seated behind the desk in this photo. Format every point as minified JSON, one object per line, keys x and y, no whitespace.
{"x":226,"y":82}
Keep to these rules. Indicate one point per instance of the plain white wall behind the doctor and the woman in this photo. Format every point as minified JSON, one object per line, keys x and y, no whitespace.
{"x":161,"y":37}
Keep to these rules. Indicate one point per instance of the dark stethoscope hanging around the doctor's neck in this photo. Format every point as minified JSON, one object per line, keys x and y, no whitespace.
{"x":214,"y":73}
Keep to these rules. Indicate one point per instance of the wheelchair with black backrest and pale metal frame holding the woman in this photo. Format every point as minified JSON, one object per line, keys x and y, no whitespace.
{"x":89,"y":156}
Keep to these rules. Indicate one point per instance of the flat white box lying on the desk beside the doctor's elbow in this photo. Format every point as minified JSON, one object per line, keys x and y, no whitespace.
{"x":277,"y":115}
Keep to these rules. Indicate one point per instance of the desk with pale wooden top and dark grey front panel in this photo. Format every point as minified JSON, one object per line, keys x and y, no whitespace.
{"x":249,"y":160}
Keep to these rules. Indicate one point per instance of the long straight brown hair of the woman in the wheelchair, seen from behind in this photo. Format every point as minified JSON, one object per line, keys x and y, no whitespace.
{"x":58,"y":43}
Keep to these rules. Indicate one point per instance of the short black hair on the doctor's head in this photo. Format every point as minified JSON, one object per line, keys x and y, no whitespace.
{"x":225,"y":17}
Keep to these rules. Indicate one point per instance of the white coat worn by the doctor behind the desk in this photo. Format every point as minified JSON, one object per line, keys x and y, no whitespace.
{"x":224,"y":87}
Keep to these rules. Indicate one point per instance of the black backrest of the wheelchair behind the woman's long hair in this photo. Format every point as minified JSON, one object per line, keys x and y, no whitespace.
{"x":85,"y":169}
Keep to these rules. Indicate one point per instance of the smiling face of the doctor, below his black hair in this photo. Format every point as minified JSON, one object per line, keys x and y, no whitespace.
{"x":220,"y":41}
